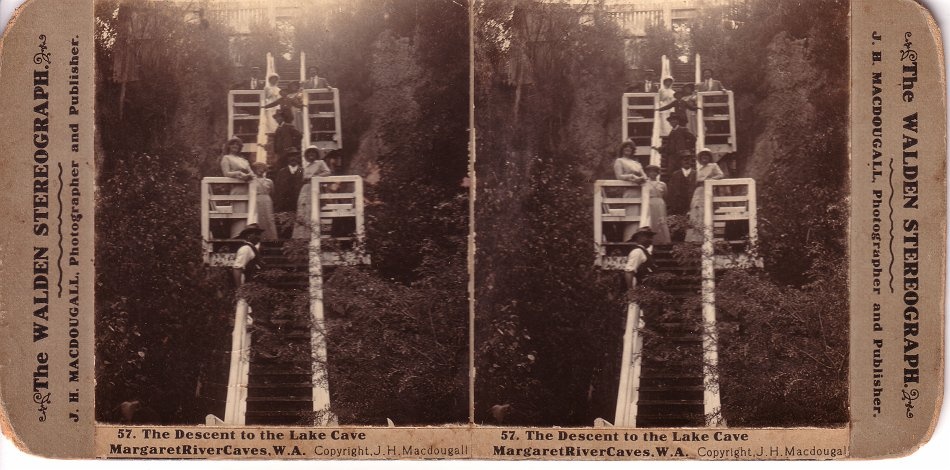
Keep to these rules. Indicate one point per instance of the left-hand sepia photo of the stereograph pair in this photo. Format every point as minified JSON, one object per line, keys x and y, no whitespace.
{"x":282,"y":212}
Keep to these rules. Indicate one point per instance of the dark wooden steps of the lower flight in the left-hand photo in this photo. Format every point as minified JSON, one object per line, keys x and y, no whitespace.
{"x":280,"y":384}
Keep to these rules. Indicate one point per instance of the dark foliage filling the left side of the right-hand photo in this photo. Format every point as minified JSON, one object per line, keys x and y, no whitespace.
{"x":544,"y":316}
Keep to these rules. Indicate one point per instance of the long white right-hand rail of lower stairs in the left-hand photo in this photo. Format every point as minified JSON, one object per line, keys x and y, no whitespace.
{"x":318,"y":345}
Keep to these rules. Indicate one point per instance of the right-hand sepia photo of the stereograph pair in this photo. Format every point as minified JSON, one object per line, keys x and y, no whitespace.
{"x":661,"y":213}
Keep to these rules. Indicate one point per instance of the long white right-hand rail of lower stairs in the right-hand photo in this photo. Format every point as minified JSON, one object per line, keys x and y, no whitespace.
{"x":712,"y":407}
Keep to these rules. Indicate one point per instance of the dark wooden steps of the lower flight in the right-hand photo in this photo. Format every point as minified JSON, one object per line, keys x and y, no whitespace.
{"x":671,"y":376}
